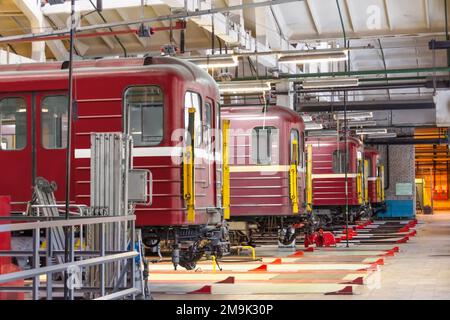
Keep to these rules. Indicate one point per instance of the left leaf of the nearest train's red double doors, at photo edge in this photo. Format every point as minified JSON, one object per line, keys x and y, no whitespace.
{"x":16,"y":151}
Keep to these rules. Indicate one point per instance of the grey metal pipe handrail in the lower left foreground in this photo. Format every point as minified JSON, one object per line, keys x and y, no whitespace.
{"x":102,"y":256}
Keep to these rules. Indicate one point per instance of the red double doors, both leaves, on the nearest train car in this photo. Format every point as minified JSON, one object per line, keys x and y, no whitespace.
{"x":33,"y":130}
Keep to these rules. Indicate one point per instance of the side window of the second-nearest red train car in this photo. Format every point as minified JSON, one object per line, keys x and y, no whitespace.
{"x":262,"y":139}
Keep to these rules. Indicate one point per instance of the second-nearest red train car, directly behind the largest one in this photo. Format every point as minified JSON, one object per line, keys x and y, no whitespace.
{"x":267,"y":171}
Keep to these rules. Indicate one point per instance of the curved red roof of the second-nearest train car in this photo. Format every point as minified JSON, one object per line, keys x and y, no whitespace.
{"x":282,"y":113}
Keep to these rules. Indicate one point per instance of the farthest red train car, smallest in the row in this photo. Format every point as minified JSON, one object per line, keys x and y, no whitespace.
{"x":375,"y":178}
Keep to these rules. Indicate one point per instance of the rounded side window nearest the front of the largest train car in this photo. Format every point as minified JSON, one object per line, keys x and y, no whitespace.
{"x":146,"y":115}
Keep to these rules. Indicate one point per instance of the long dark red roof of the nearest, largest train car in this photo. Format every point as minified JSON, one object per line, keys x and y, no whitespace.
{"x":182,"y":68}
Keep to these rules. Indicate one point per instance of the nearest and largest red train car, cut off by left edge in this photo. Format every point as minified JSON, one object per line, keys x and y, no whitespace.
{"x":157,"y":100}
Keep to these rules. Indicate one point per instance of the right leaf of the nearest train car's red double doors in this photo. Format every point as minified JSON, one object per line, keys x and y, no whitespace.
{"x":51,"y":139}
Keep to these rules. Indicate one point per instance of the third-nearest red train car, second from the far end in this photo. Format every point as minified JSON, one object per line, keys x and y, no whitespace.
{"x":328,"y":179}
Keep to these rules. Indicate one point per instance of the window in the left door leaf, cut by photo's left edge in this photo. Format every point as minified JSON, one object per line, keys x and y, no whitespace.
{"x":13,"y":124}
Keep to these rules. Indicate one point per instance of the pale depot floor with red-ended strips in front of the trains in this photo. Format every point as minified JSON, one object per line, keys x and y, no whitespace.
{"x":372,"y":267}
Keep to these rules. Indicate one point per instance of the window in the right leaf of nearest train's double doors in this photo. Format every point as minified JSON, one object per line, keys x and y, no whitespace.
{"x":54,"y":122}
